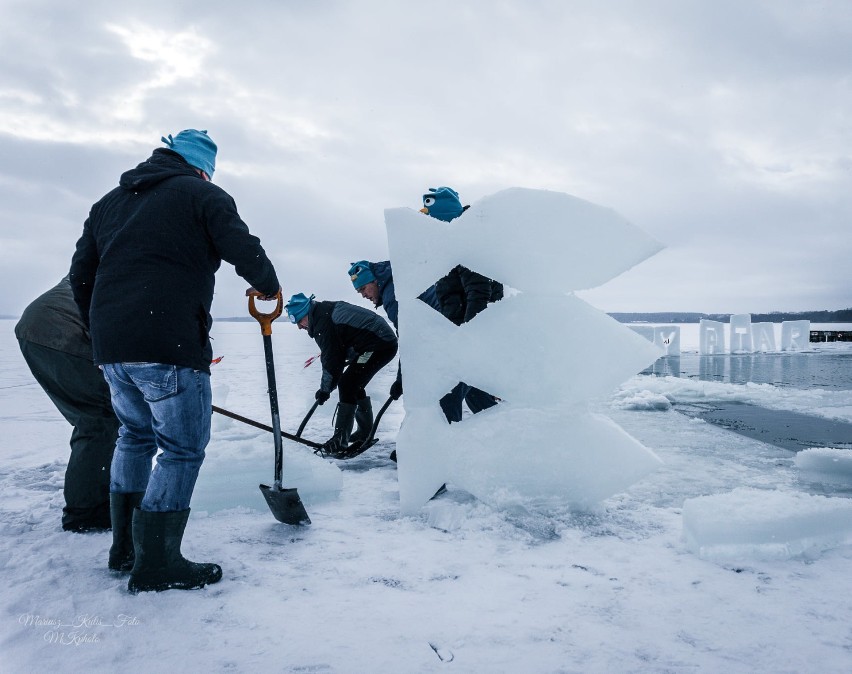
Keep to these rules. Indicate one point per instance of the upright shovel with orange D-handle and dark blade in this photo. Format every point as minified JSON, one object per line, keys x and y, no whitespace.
{"x":285,"y":504}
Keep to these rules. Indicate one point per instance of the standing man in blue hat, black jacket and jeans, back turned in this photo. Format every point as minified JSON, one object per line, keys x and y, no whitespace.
{"x":143,"y":276}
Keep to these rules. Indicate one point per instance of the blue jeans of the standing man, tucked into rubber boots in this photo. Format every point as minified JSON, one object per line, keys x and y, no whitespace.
{"x":159,"y":406}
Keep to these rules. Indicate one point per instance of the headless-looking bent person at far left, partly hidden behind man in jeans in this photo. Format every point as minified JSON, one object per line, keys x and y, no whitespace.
{"x":57,"y":348}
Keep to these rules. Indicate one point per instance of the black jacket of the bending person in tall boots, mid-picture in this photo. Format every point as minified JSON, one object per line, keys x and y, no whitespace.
{"x":344,"y":331}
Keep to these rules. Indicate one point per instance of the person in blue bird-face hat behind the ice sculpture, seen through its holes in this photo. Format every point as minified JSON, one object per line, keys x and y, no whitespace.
{"x":461,"y":294}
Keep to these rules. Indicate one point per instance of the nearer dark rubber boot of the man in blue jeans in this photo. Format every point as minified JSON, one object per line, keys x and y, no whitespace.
{"x":159,"y":564}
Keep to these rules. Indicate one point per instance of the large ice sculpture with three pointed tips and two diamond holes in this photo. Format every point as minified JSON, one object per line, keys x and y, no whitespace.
{"x":541,"y":350}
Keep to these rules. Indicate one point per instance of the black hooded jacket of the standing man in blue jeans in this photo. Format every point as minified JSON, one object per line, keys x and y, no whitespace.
{"x":144,"y":269}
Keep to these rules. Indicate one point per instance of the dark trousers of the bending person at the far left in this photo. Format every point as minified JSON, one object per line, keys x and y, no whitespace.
{"x":78,"y":390}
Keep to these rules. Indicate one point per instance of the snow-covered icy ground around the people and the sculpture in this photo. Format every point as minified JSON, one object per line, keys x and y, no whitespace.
{"x":459,"y":587}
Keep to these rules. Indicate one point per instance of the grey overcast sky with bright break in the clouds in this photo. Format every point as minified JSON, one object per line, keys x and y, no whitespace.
{"x":721,"y":128}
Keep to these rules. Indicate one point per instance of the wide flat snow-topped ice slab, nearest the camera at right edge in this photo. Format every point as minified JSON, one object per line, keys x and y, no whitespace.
{"x":754,"y":523}
